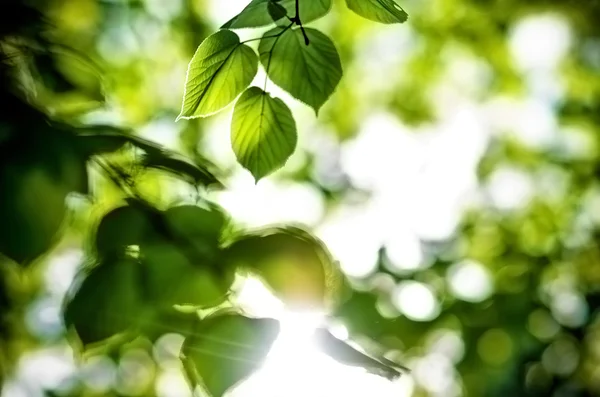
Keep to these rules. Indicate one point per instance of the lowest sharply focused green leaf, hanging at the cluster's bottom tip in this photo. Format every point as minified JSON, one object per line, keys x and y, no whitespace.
{"x":263,"y":132}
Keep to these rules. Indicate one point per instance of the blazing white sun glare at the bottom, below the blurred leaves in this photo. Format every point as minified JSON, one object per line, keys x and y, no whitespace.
{"x":295,"y":367}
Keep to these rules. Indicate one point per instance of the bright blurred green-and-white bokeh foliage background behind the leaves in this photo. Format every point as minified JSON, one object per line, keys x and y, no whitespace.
{"x":453,"y":174}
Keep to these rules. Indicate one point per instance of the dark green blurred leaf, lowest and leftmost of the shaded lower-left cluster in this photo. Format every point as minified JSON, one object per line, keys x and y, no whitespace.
{"x":108,"y":301}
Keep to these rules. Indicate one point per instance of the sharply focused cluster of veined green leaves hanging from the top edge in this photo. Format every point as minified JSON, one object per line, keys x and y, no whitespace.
{"x":302,"y":61}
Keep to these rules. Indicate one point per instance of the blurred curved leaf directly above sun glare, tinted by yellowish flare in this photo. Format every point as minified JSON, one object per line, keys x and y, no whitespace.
{"x":295,"y":265}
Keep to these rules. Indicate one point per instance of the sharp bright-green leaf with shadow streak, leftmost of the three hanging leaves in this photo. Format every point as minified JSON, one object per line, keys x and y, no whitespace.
{"x":219,"y":71}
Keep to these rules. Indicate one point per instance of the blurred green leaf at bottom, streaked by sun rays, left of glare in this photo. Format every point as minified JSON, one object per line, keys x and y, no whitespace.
{"x":226,"y":349}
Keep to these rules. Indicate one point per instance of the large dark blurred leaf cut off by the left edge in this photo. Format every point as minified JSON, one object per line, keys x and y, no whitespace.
{"x":37,"y":172}
